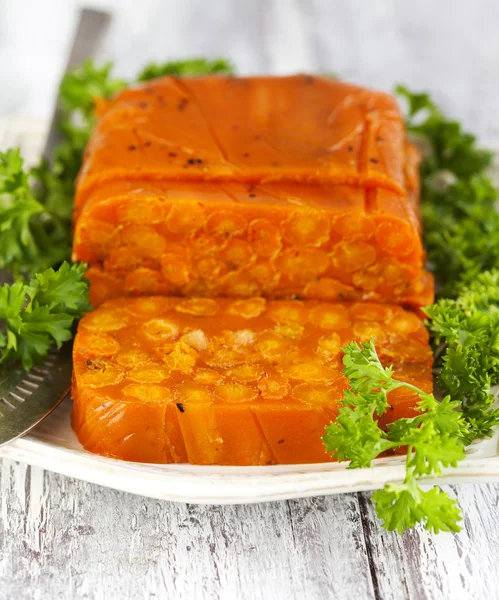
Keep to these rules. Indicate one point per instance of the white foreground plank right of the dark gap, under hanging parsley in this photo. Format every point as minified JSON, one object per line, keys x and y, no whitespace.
{"x":421,"y":566}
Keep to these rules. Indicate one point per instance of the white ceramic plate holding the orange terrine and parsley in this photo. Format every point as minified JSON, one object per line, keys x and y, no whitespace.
{"x":53,"y":445}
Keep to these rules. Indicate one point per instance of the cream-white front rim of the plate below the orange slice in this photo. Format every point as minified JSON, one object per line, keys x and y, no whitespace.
{"x":216,"y":485}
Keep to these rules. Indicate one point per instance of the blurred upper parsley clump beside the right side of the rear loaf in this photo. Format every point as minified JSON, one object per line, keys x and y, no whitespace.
{"x":460,"y":222}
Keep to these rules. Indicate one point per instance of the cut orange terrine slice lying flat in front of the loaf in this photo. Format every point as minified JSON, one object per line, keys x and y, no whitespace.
{"x":230,"y":382}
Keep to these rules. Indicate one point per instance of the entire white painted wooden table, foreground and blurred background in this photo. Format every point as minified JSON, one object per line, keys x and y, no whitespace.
{"x":63,"y":539}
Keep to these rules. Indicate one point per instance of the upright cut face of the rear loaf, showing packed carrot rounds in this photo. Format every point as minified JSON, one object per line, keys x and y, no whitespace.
{"x":317,"y":254}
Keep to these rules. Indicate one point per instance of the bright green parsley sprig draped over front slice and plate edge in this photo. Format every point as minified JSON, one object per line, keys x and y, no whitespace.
{"x":434,"y":439}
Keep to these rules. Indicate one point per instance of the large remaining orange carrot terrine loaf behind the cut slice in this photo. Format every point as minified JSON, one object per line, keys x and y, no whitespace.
{"x":281,"y":187}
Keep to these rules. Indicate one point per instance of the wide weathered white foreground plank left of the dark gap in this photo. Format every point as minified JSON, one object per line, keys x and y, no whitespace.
{"x":68,"y":539}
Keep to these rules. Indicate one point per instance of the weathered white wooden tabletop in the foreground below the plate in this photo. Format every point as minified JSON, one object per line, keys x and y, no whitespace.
{"x":64,"y":539}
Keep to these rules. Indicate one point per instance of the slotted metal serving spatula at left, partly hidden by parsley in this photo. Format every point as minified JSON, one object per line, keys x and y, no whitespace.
{"x":28,"y":397}
